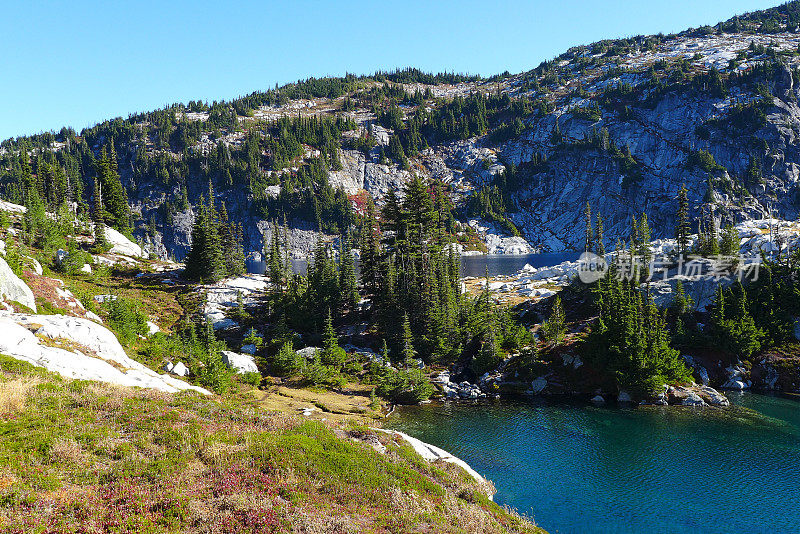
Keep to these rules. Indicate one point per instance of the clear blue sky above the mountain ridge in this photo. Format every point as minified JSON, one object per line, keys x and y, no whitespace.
{"x":77,"y":63}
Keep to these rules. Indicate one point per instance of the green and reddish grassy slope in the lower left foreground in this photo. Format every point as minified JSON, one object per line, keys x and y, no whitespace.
{"x":79,"y":456}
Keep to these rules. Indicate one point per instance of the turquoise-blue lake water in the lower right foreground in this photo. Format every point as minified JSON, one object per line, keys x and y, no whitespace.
{"x":574,"y":468}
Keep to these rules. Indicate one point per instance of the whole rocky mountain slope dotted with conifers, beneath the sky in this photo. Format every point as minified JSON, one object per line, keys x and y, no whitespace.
{"x":620,"y":124}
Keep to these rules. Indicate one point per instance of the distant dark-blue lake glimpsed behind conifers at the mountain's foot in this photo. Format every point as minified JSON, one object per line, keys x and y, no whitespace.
{"x":497,"y":264}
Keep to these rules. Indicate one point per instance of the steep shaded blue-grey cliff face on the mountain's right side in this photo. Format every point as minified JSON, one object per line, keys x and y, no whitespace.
{"x":549,"y":204}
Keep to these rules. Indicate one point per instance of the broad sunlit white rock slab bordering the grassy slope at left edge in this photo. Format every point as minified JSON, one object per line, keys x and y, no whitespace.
{"x":79,"y":349}
